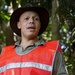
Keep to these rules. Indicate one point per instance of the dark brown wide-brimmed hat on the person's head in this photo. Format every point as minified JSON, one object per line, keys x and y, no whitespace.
{"x":42,"y":12}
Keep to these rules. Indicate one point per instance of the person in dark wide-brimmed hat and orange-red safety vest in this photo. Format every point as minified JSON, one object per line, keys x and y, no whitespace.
{"x":31,"y":55}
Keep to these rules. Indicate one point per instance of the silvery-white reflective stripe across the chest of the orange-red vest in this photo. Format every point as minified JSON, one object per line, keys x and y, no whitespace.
{"x":26,"y":64}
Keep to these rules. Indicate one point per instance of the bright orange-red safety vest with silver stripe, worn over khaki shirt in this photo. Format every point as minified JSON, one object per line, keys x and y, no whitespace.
{"x":39,"y":61}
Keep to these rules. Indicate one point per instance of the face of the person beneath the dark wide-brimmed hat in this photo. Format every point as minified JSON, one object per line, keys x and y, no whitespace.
{"x":29,"y":23}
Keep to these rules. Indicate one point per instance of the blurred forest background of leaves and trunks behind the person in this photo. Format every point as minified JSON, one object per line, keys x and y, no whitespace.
{"x":61,"y":25}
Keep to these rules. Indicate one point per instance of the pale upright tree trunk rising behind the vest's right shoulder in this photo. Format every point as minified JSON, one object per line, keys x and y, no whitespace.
{"x":55,"y":21}
